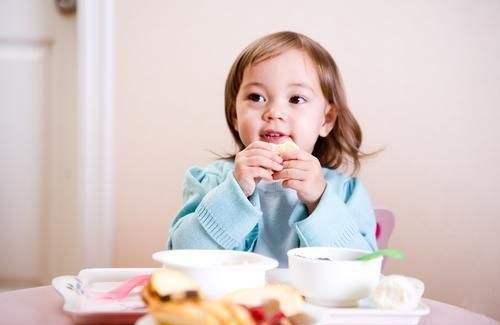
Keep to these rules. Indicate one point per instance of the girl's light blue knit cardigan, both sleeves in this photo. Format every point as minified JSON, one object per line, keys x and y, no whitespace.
{"x":217,"y":215}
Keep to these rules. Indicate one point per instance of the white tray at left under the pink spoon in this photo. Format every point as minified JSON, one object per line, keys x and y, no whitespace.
{"x":91,"y":311}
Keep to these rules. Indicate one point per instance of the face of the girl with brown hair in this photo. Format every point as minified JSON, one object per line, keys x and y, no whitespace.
{"x":281,"y":98}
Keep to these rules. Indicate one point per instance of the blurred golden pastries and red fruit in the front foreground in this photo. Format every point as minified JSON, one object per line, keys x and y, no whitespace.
{"x":174,"y":299}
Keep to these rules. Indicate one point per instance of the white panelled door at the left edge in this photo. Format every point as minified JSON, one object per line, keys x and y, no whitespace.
{"x":38,"y":143}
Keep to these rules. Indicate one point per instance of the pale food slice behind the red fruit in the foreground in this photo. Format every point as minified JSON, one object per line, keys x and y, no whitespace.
{"x":285,"y":298}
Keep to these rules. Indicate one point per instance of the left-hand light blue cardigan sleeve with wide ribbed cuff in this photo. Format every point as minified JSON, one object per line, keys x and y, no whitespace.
{"x":216,"y":214}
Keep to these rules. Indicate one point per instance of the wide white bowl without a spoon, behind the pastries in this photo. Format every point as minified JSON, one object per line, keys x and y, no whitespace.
{"x":218,"y":271}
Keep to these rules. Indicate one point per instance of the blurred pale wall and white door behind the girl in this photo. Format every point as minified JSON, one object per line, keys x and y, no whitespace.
{"x":103,"y":108}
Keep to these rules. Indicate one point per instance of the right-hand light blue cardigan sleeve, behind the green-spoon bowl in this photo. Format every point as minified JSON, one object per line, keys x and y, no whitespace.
{"x":343,"y":218}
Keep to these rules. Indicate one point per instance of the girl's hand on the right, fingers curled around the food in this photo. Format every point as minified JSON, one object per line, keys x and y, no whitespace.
{"x":302,"y":172}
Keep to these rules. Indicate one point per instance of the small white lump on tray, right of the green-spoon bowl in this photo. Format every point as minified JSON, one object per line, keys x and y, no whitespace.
{"x":398,"y":292}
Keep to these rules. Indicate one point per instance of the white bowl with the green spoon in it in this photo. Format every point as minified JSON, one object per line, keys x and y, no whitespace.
{"x":339,"y":281}
